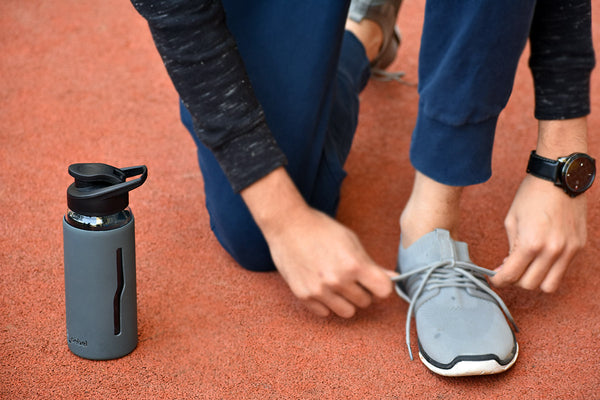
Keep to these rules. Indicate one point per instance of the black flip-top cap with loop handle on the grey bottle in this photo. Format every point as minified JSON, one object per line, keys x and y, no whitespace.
{"x":101,"y":189}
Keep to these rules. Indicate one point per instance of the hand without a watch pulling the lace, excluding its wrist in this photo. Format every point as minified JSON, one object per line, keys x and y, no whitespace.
{"x":326,"y":267}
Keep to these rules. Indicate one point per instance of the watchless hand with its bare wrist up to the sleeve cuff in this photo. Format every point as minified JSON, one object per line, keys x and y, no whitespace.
{"x":322,"y":261}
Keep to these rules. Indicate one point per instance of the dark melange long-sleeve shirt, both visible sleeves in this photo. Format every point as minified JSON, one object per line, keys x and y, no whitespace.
{"x":201,"y":58}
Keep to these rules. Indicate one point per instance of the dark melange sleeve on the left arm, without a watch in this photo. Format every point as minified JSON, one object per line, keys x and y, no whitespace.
{"x":201,"y":58}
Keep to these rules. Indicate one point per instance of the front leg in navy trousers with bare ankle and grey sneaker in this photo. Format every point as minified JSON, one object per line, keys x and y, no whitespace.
{"x":467,"y":64}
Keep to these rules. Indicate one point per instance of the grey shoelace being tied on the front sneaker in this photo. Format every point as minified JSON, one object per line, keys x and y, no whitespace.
{"x":447,"y":273}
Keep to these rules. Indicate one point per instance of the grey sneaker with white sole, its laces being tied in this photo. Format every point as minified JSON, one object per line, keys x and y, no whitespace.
{"x":461,"y":324}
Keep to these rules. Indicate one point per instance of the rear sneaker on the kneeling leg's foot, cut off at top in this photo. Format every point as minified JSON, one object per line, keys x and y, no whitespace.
{"x":384,"y":13}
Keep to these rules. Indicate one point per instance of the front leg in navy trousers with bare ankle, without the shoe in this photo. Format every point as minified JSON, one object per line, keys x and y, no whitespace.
{"x":453,"y":138}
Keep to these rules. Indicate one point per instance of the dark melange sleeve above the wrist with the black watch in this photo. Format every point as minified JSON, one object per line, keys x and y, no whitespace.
{"x":562,"y":58}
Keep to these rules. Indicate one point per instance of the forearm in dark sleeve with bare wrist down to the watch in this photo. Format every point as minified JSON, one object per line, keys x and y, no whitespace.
{"x":561,"y":61}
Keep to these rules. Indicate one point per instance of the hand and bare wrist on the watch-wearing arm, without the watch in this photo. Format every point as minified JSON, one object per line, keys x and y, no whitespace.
{"x":545,"y":227}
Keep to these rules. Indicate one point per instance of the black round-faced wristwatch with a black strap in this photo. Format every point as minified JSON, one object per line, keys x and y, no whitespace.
{"x":574,"y":173}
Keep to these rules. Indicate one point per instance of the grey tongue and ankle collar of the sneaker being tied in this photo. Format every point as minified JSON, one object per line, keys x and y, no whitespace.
{"x":433,"y":247}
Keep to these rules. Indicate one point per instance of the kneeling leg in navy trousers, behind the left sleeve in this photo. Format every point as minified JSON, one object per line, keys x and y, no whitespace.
{"x":311,"y":109}
